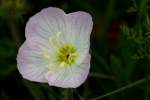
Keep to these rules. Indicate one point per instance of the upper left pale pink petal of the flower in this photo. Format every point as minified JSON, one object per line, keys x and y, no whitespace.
{"x":46,"y":23}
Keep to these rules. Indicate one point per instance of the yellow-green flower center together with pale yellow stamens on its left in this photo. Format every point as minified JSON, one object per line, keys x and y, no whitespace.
{"x":66,"y":53}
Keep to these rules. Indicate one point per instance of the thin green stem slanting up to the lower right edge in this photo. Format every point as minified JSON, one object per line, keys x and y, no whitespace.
{"x":122,"y":88}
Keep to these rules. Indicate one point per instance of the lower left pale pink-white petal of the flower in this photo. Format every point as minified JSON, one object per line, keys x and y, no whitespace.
{"x":31,"y":64}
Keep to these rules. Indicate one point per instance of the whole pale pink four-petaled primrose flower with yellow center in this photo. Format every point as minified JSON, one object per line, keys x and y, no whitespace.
{"x":56,"y":50}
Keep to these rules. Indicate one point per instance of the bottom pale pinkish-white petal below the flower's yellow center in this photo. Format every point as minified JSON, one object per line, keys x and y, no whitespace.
{"x":71,"y":77}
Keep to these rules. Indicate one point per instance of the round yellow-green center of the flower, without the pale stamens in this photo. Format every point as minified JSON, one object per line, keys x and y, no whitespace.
{"x":66,"y":55}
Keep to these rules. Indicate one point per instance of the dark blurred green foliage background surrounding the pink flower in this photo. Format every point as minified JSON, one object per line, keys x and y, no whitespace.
{"x":120,"y":49}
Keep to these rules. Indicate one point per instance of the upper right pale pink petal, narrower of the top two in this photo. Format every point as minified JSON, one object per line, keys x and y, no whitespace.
{"x":79,"y":27}
